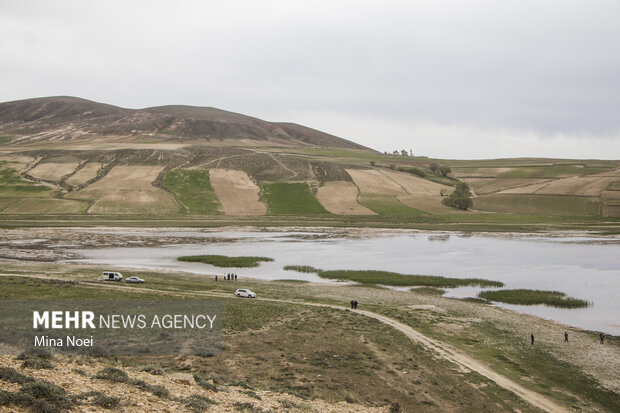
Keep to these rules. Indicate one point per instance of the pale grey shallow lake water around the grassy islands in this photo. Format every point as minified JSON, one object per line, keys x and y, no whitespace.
{"x":582,"y":267}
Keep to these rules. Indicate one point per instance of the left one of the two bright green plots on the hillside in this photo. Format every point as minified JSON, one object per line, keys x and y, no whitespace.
{"x":193,"y":188}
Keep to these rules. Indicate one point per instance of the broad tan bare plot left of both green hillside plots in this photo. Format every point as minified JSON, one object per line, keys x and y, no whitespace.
{"x":128,"y":190}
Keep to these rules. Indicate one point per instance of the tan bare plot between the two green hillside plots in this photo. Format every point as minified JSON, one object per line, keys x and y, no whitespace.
{"x":236,"y":192}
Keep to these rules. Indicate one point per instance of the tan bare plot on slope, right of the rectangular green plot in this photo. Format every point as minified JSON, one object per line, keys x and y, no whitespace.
{"x":340,"y":198}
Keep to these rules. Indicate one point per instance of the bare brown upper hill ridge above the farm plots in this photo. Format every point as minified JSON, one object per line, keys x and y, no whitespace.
{"x":68,"y":118}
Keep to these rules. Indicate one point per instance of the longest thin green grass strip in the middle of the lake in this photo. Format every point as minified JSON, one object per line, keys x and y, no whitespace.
{"x":402,"y":280}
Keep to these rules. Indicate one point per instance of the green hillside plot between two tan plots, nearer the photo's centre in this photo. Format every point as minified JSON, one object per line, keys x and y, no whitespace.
{"x":291,"y":199}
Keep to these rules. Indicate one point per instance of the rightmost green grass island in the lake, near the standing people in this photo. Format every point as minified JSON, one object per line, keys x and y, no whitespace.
{"x":533,"y":297}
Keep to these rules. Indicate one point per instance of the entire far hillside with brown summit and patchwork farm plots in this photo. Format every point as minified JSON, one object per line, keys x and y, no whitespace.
{"x":72,"y":157}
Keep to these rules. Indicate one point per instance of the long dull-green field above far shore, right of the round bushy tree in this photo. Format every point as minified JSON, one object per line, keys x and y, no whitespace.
{"x":566,"y":205}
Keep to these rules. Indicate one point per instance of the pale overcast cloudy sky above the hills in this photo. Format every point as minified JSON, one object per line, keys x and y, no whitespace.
{"x":460,"y":79}
